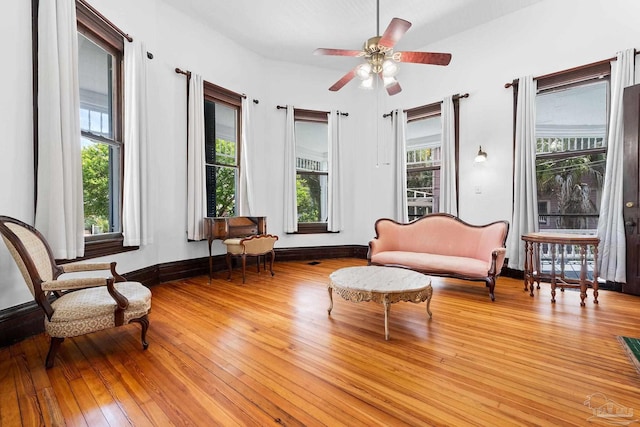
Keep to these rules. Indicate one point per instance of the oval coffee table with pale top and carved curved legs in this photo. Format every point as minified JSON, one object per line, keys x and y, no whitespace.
{"x":384,"y":285}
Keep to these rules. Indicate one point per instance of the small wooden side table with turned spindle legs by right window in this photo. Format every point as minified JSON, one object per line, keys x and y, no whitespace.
{"x":532,"y":270}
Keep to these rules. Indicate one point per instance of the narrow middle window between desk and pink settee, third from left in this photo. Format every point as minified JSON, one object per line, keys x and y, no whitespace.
{"x":312,"y":169}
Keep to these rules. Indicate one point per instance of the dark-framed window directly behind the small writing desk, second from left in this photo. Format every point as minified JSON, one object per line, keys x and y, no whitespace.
{"x":222,"y":112}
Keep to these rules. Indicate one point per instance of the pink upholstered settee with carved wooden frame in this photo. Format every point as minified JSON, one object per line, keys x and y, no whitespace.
{"x":442,"y":245}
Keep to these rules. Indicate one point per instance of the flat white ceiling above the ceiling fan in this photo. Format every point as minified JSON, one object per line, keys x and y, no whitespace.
{"x":289,"y":30}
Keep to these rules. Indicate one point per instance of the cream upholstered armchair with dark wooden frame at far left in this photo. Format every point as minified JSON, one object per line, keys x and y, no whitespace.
{"x":77,"y":305}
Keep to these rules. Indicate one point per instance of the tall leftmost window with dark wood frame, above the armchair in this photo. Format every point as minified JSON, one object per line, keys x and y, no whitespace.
{"x":101,"y":85}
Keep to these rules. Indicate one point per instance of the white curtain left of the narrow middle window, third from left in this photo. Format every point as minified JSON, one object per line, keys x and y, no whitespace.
{"x":290,"y":202}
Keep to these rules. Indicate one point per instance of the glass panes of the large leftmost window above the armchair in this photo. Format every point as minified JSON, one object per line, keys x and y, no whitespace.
{"x":101,"y":150}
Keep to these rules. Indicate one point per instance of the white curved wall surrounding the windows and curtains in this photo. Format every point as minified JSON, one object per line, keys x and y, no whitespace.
{"x":550,"y":36}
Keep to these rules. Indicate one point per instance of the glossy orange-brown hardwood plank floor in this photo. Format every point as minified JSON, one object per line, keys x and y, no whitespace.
{"x":266,"y":353}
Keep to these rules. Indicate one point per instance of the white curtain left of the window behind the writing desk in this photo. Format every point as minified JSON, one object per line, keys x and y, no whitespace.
{"x":196,"y":178}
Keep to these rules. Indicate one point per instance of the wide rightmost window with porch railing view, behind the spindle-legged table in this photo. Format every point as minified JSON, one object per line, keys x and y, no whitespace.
{"x":571,"y":142}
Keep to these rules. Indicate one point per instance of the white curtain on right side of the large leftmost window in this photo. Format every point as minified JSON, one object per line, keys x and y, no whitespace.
{"x":135,"y":203}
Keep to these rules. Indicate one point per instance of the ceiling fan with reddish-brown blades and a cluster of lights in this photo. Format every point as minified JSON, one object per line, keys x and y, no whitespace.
{"x":380,"y":59}
